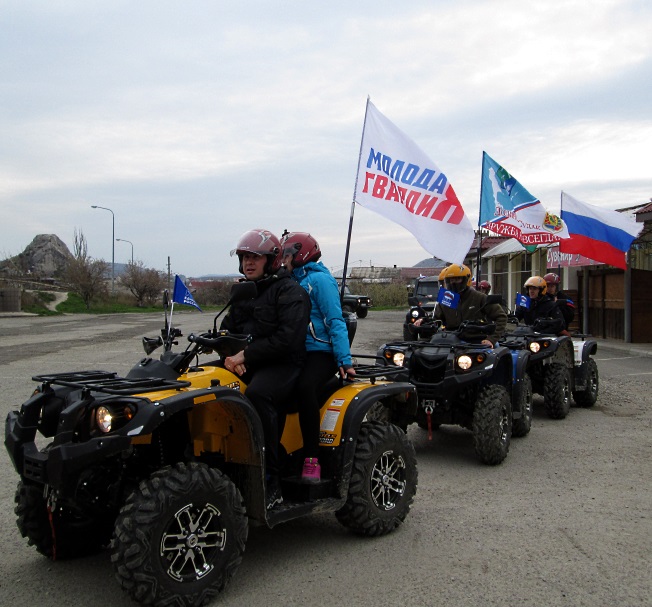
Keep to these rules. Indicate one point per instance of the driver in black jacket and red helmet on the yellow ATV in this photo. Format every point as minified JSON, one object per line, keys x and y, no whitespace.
{"x":277,"y":320}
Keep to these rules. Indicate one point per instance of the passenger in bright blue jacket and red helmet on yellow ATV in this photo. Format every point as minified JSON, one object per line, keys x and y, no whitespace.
{"x":327,"y":340}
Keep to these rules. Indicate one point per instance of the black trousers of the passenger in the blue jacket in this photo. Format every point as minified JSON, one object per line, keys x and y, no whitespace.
{"x":317,"y":370}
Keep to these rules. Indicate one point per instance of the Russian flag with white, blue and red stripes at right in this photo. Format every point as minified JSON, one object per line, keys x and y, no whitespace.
{"x":600,"y":234}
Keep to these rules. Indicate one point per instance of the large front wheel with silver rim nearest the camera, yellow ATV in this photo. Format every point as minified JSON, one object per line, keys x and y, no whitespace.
{"x":180,"y":536}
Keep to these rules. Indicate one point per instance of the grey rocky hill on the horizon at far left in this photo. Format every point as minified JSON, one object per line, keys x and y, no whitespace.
{"x":46,"y":256}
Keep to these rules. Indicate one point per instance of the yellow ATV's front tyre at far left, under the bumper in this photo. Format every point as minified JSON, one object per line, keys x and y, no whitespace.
{"x":69,"y":535}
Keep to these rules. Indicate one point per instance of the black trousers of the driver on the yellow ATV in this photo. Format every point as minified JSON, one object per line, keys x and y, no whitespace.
{"x":268,"y":389}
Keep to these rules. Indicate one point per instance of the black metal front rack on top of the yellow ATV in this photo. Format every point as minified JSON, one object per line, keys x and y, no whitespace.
{"x":109,"y":383}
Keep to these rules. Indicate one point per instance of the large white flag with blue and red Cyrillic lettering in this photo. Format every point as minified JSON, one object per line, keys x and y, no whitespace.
{"x":397,"y":180}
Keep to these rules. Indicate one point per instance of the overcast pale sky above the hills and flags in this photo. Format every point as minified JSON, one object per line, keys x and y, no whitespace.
{"x":195,"y":121}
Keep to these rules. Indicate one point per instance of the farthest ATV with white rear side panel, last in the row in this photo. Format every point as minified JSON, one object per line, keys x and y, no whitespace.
{"x":560,"y":366}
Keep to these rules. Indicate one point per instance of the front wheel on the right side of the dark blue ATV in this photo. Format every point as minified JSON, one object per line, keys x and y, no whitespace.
{"x":492,"y":425}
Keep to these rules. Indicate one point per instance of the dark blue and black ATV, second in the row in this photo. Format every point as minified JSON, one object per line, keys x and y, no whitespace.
{"x":460,"y":381}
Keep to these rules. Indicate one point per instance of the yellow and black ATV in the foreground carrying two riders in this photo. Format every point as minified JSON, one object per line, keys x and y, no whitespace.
{"x":167,"y":465}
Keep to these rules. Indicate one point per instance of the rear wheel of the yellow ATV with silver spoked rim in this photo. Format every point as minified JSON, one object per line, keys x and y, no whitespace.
{"x":383,"y":481}
